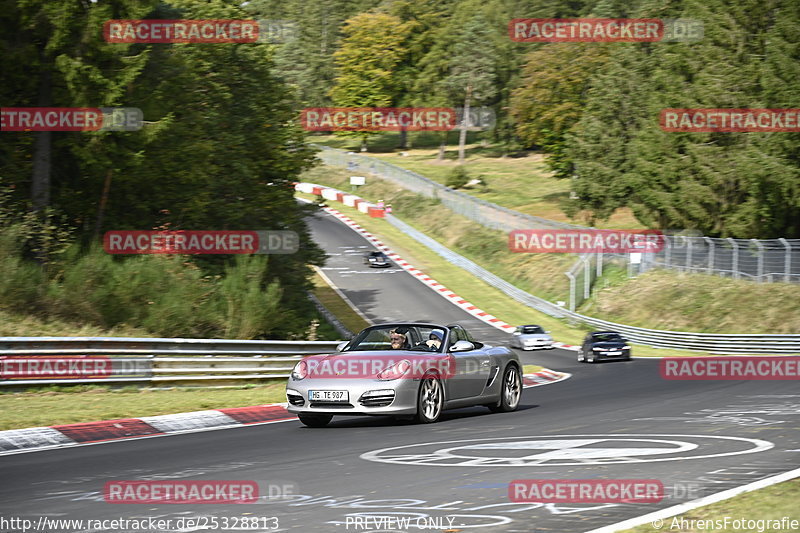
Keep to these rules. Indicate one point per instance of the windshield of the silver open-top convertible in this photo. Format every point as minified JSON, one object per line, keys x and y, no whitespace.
{"x":404,"y":337}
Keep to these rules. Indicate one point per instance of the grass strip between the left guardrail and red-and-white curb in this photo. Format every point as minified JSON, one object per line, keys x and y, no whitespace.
{"x":88,"y":403}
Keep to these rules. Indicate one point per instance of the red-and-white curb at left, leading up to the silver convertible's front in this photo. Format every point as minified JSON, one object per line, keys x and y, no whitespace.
{"x":45,"y":438}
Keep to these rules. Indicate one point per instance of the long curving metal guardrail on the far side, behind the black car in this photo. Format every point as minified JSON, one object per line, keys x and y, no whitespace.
{"x":716,"y":343}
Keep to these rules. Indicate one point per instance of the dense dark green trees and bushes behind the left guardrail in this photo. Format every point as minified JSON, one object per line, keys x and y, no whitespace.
{"x":219,"y":149}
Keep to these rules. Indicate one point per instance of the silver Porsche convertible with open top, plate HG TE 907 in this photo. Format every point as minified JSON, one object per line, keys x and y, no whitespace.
{"x":407,"y":370}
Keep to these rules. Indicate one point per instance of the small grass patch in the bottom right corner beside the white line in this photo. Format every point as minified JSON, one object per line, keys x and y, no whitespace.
{"x":770,"y":503}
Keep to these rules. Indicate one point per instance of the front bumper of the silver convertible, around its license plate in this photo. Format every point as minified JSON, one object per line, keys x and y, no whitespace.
{"x":366,"y":396}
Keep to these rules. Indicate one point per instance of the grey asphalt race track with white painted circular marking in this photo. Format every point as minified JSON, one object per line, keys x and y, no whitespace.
{"x":616,"y":420}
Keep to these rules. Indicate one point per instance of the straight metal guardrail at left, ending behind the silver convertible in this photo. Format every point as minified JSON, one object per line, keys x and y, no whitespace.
{"x":56,"y":360}
